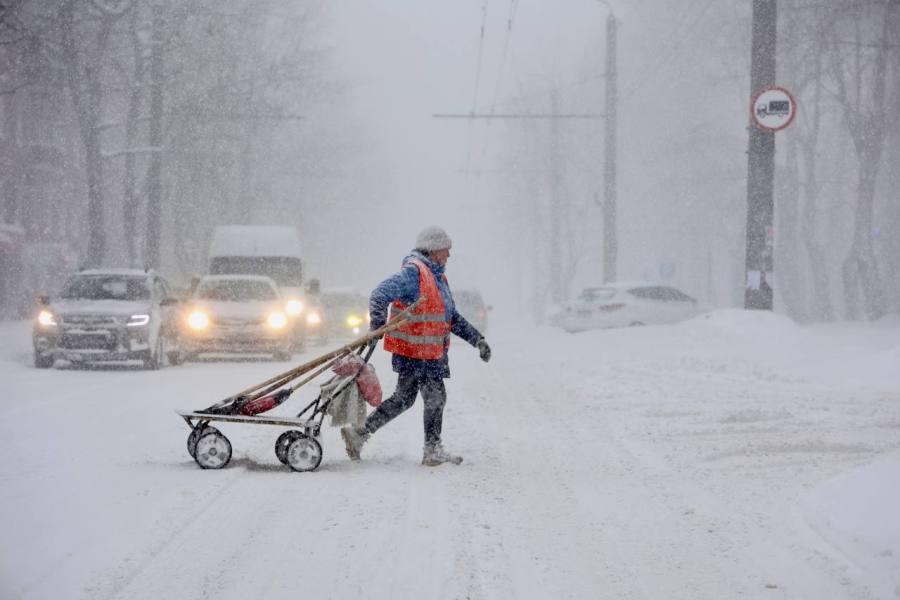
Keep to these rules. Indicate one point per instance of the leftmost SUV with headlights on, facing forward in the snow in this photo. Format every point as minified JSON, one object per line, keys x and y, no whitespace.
{"x":108,"y":315}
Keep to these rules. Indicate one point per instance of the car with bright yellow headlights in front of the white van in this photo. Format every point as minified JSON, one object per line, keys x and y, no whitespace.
{"x":236,"y":314}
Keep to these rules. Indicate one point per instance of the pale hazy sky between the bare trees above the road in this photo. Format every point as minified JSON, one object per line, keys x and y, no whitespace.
{"x":407,"y":59}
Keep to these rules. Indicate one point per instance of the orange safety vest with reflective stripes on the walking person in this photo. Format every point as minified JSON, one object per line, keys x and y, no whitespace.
{"x":426,"y":332}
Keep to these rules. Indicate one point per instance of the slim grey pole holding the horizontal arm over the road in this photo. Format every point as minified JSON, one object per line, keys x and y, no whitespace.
{"x":610,"y":241}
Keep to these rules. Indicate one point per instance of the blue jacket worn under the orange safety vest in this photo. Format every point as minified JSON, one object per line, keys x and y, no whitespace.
{"x":404,"y":286}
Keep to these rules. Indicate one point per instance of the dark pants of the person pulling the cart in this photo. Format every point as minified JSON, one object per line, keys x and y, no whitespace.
{"x":408,"y":386}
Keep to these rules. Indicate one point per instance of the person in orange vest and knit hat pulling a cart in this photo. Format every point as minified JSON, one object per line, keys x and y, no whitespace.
{"x":419,"y":346}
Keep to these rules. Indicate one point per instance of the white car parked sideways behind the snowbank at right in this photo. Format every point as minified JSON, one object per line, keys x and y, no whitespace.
{"x":626,"y":304}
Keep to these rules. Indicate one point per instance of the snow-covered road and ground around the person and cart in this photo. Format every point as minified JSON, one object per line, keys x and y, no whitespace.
{"x":737,"y":455}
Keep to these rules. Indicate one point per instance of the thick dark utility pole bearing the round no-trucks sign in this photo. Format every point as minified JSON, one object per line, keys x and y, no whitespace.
{"x":761,"y":164}
